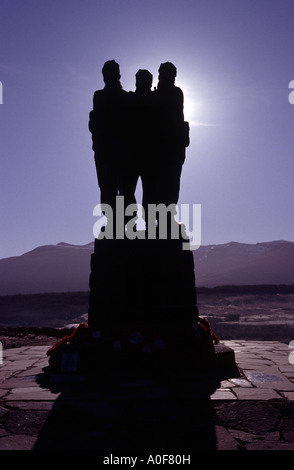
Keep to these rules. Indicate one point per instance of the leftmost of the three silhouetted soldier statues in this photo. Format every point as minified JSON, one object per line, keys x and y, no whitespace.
{"x":106,"y":125}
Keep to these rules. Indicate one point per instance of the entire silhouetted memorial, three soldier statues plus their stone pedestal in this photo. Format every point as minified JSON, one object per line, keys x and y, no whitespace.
{"x":143,"y":312}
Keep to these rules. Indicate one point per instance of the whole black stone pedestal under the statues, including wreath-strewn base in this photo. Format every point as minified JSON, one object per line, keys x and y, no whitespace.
{"x":143,"y":315}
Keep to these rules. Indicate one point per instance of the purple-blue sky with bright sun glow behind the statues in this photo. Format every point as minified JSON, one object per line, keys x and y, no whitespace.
{"x":235,"y":61}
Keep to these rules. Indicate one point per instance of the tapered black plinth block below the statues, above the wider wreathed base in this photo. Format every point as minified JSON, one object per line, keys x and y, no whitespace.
{"x":141,"y":281}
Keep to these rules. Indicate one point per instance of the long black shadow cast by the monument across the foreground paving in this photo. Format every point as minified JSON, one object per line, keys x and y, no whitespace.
{"x":117,"y":412}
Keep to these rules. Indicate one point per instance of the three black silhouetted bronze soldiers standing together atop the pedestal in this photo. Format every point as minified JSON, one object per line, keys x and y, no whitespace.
{"x":139,"y":134}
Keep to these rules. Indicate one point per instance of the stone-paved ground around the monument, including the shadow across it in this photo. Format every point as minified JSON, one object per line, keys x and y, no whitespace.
{"x":254,"y":411}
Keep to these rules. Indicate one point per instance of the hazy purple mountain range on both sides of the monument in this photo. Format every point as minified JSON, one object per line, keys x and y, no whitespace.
{"x":66,"y":268}
